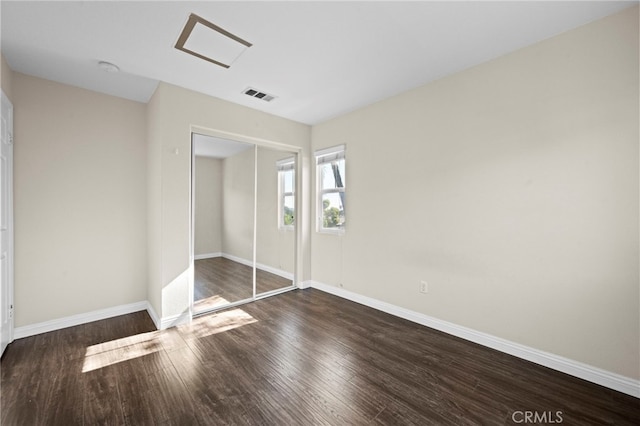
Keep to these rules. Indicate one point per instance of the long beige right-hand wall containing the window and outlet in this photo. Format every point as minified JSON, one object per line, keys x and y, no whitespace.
{"x":512,"y":188}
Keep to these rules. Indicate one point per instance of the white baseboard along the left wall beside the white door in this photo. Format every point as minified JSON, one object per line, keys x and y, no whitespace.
{"x":73,"y":320}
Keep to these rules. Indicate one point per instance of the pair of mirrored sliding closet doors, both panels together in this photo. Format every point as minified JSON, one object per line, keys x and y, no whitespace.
{"x":244,"y":233}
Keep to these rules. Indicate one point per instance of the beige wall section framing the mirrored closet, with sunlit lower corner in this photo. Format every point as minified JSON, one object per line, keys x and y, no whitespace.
{"x":172,"y":113}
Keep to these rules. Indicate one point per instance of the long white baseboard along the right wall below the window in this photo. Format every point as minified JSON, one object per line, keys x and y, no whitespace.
{"x":587,"y":372}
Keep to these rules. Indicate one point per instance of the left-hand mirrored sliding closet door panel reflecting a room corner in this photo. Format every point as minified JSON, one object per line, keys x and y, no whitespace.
{"x":223,"y":204}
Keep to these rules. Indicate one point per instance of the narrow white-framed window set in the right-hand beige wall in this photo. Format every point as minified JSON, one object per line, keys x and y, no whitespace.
{"x":330,"y":167}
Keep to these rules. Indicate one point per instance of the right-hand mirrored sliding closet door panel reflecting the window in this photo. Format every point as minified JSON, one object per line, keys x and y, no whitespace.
{"x":275,"y":224}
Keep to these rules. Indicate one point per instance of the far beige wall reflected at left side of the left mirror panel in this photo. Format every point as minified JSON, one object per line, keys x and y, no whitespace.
{"x":207,"y":192}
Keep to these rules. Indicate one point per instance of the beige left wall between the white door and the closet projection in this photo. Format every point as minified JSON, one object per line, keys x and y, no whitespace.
{"x":80,"y":210}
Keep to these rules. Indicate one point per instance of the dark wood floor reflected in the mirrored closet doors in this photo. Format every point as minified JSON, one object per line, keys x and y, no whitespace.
{"x":219,"y":281}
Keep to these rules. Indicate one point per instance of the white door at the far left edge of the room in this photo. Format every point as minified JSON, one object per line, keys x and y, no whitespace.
{"x":6,"y":223}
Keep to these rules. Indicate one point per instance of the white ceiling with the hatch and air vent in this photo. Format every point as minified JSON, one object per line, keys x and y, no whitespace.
{"x":321,"y":59}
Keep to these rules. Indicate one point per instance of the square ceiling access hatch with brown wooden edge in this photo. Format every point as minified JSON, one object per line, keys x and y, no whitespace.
{"x":207,"y":41}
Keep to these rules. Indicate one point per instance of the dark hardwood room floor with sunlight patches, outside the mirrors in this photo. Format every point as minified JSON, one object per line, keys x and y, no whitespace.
{"x":300,"y":358}
